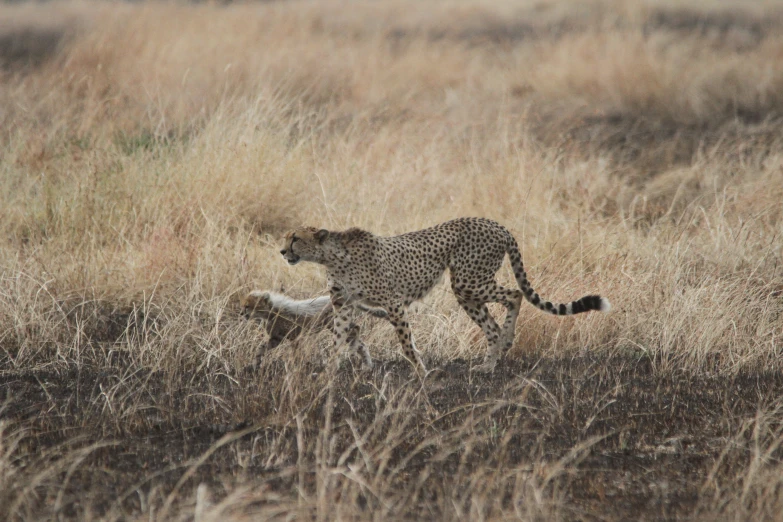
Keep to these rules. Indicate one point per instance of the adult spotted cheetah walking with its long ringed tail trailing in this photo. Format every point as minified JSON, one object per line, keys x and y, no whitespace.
{"x":393,"y":272}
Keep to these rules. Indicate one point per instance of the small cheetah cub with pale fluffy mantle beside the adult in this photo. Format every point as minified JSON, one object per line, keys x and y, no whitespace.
{"x":286,"y":318}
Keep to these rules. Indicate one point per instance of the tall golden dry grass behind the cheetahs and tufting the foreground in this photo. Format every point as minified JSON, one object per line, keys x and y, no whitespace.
{"x":153,"y":155}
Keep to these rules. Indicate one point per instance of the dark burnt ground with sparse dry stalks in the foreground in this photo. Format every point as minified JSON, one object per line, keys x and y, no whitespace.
{"x":648,"y":441}
